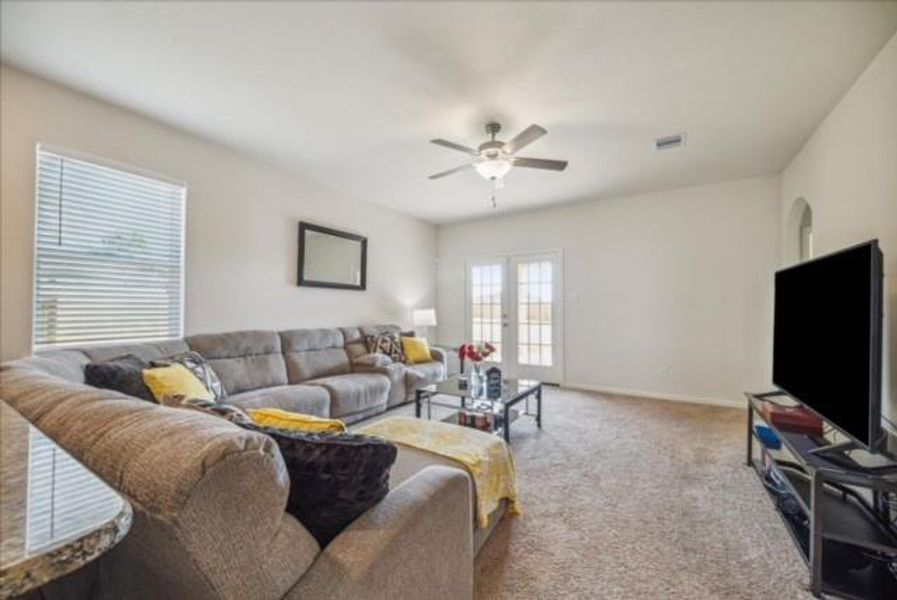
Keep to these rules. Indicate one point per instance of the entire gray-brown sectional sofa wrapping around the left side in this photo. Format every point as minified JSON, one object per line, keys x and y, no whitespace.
{"x":209,"y":497}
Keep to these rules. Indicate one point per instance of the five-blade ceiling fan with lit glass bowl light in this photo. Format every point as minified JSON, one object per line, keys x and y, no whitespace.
{"x":493,"y":159}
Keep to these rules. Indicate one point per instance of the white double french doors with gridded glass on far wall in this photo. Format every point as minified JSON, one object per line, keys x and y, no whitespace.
{"x":513,"y":302}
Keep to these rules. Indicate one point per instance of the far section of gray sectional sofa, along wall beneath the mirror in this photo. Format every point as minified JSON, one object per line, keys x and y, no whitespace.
{"x":323,"y":372}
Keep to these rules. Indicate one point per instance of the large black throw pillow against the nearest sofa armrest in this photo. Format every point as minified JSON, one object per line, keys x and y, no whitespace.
{"x":334,"y":477}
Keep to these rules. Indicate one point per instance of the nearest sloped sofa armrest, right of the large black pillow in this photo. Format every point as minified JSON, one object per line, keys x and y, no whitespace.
{"x":416,"y":543}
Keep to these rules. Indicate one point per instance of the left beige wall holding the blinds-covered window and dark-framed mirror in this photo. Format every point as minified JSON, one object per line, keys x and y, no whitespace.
{"x":242,"y":221}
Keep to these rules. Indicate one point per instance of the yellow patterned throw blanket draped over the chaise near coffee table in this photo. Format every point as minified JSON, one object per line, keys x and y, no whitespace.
{"x":486,"y":457}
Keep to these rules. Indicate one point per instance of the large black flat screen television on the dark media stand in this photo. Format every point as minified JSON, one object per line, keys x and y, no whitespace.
{"x":827,"y":340}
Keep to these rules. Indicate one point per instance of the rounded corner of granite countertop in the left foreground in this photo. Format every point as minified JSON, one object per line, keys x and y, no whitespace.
{"x":55,"y":515}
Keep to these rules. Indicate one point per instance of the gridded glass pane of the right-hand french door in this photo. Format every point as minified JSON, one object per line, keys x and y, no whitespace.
{"x":535,"y":297}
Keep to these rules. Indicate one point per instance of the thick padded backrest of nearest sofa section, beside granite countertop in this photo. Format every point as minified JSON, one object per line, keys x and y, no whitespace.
{"x":208,"y":497}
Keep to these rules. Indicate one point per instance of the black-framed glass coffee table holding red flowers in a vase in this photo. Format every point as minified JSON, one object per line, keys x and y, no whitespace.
{"x":473,"y":403}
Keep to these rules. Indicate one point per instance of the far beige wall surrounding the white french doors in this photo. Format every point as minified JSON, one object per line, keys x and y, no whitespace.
{"x":667,"y":293}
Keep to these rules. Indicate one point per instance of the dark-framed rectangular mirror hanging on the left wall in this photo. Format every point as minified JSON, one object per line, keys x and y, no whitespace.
{"x":331,"y":258}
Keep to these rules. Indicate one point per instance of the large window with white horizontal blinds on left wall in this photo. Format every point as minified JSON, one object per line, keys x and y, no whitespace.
{"x":109,"y":255}
